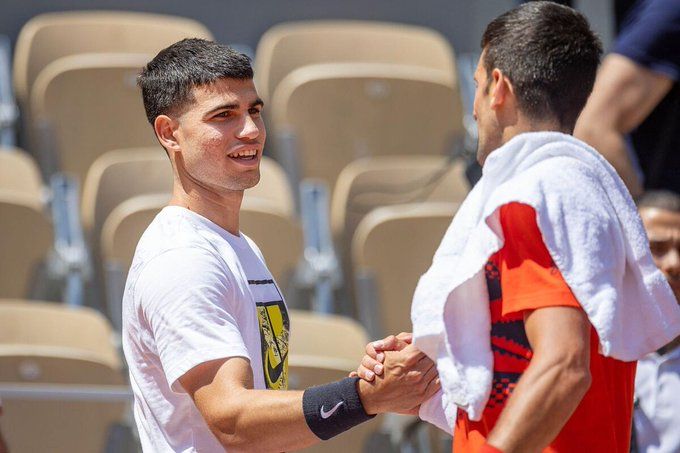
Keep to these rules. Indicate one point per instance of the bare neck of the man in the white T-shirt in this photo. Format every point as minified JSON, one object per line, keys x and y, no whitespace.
{"x":220,"y":208}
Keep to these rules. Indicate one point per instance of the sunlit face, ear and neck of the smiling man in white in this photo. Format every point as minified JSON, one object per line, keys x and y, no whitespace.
{"x":202,"y":141}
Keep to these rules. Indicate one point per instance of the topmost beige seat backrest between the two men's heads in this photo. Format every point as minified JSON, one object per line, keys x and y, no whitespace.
{"x":286,"y":47}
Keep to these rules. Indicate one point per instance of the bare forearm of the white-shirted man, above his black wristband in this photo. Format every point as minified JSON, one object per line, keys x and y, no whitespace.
{"x":263,"y":421}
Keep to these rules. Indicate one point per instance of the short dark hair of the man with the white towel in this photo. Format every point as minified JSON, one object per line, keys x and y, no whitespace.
{"x":550,"y":55}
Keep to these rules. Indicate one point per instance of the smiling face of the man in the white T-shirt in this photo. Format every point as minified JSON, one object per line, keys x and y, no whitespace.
{"x":221,"y":136}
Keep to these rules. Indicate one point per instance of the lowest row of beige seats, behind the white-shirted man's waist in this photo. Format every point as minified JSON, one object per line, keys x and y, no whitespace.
{"x":60,"y":370}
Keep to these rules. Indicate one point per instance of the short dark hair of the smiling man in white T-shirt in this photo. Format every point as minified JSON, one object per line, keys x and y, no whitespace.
{"x":167,"y":80}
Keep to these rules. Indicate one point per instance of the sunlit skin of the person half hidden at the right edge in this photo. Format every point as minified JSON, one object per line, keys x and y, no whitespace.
{"x":663,"y":230}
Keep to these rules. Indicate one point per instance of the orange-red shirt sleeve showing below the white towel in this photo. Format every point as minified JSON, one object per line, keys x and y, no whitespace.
{"x":529,"y":277}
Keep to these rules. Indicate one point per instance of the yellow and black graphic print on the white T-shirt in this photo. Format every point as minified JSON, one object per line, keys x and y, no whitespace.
{"x":274,"y":331}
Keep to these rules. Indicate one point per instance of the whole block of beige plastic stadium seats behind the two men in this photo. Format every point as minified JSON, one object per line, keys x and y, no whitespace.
{"x":362,"y":178}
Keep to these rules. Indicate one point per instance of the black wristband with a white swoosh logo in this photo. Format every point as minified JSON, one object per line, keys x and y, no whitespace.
{"x":333,"y":408}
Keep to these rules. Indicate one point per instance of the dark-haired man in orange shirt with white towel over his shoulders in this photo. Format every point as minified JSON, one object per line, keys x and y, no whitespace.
{"x":532,"y":304}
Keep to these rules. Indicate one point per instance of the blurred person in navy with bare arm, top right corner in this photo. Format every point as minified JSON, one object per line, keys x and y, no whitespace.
{"x":632,"y":115}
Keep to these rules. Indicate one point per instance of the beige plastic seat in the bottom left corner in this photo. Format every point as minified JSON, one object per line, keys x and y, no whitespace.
{"x":43,"y":345}
